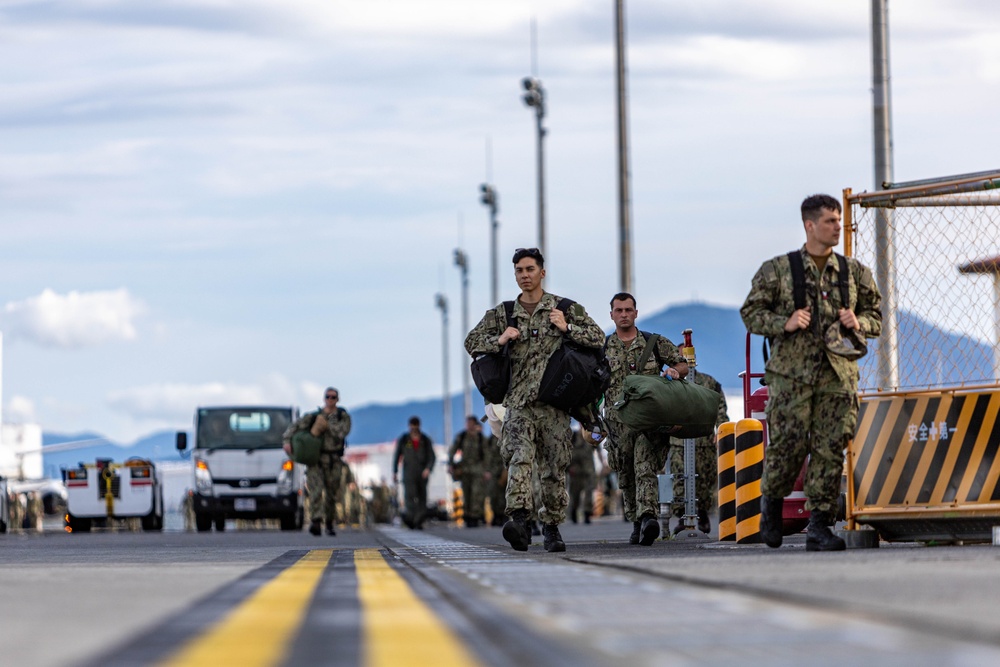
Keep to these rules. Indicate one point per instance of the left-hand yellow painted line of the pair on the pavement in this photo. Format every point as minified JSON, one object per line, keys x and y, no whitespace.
{"x":258,"y":632}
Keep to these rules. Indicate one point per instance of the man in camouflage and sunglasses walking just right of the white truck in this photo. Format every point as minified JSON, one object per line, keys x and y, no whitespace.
{"x":332,"y":424}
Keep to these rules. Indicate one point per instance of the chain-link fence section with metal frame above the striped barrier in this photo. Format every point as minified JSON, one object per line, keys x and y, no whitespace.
{"x":934,"y":247}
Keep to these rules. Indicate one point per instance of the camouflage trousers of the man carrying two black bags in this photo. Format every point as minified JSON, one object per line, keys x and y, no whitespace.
{"x":537,"y":437}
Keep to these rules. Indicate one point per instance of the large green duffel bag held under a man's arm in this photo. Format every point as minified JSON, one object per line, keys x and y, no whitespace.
{"x":682,"y":409}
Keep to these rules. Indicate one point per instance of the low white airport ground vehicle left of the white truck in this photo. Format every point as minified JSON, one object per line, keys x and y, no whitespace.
{"x":103,"y":491}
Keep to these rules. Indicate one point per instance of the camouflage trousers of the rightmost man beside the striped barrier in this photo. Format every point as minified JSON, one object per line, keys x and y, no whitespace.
{"x":814,"y":420}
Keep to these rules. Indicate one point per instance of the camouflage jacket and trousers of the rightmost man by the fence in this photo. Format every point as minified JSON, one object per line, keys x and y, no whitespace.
{"x":813,"y":405}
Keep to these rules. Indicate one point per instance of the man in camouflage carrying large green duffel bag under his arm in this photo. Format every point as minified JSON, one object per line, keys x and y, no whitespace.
{"x":637,"y":458}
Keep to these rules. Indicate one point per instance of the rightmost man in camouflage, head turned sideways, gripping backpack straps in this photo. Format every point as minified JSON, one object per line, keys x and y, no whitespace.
{"x":813,"y":406}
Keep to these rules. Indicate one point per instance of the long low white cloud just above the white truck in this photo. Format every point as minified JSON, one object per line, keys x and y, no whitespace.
{"x":175,"y":402}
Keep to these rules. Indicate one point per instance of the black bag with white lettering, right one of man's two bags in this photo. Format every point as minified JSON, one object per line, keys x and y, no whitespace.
{"x":575,"y":375}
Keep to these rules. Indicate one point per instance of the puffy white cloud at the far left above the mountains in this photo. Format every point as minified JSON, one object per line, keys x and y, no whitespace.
{"x":74,"y":320}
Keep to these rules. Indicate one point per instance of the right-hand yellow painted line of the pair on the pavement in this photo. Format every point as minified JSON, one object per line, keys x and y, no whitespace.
{"x":399,"y":629}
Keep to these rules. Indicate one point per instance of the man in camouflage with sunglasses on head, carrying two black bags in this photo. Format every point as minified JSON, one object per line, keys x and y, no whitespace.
{"x":534,"y":434}
